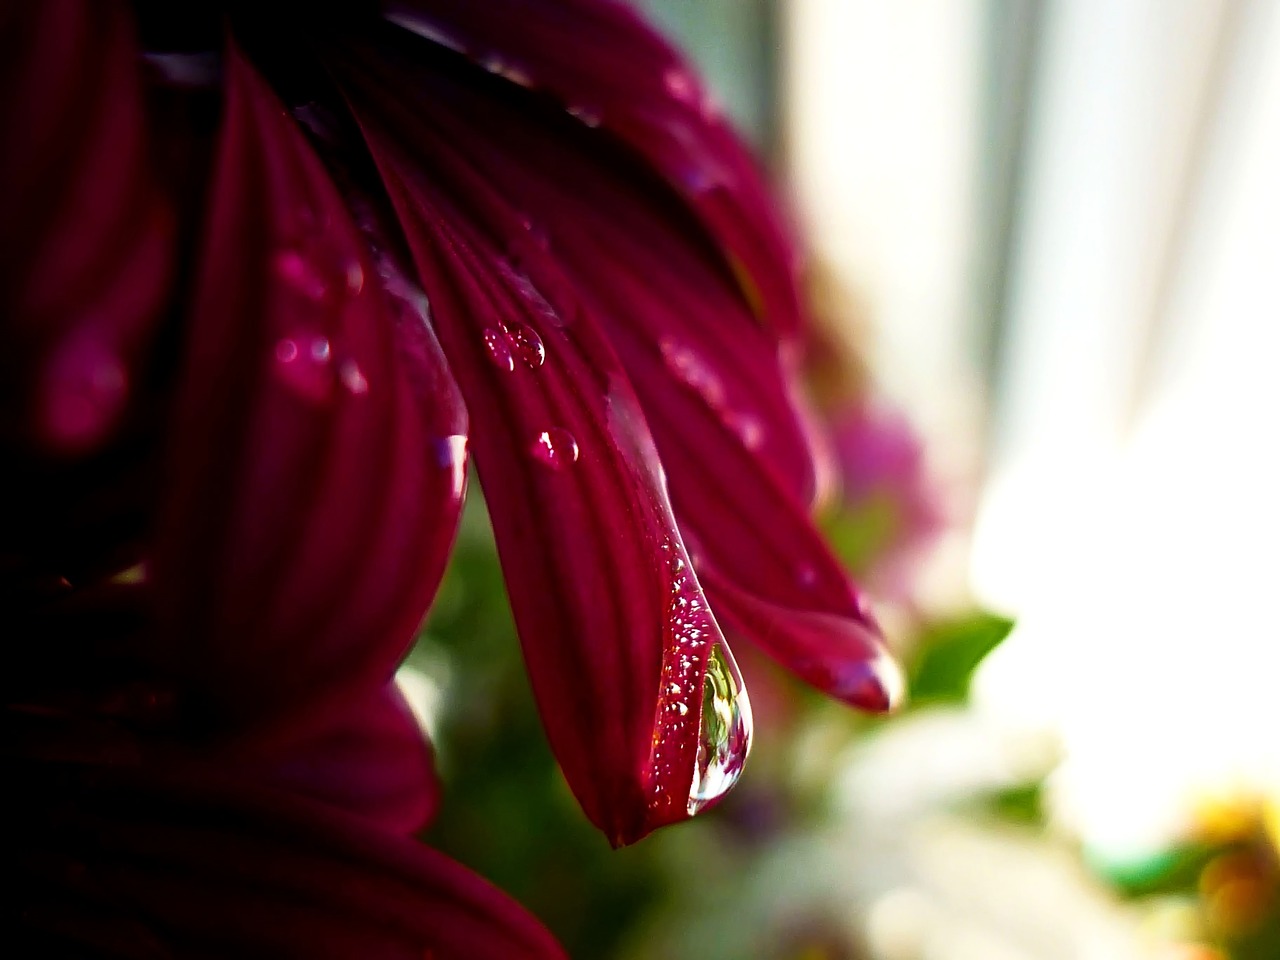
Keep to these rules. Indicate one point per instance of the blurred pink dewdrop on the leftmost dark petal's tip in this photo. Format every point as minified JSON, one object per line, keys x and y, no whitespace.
{"x":84,"y":392}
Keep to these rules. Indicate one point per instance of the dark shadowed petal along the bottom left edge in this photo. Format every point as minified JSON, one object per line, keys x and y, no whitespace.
{"x":198,"y":866}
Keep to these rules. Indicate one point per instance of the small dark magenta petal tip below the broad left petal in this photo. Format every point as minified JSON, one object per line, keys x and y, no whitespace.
{"x":371,"y":760}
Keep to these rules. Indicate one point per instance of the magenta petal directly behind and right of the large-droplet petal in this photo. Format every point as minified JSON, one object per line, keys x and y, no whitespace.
{"x":708,"y":381}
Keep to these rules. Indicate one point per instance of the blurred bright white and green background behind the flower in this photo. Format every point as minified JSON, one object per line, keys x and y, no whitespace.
{"x":1045,"y":241}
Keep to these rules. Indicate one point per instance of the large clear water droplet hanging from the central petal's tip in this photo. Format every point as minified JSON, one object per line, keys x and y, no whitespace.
{"x":725,"y":737}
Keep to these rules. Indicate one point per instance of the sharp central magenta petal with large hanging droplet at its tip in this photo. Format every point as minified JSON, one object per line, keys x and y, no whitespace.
{"x":593,"y":560}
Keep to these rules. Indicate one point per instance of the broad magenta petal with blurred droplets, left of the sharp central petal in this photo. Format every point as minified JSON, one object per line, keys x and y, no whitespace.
{"x":318,"y":446}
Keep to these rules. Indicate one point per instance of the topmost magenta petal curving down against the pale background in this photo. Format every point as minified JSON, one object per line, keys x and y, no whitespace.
{"x":611,"y":71}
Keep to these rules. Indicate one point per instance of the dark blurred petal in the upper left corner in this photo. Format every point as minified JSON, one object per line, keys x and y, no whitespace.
{"x":86,"y":237}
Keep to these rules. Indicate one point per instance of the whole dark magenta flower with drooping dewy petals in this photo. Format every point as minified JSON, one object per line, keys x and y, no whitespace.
{"x":272,"y":272}
